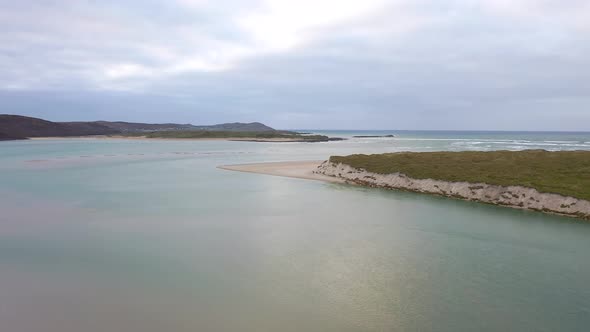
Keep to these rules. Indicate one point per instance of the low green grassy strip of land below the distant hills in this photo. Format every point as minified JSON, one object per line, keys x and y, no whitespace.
{"x":232,"y":134}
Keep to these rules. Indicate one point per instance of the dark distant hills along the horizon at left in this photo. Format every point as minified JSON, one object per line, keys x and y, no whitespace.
{"x":18,"y":127}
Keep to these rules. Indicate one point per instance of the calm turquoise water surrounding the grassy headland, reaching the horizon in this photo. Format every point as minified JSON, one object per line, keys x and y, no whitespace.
{"x":107,"y":235}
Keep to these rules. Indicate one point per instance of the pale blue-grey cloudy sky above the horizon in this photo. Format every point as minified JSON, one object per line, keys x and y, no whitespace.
{"x":332,"y":64}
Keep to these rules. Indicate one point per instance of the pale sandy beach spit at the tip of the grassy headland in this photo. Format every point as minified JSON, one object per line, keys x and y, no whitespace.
{"x":292,"y":169}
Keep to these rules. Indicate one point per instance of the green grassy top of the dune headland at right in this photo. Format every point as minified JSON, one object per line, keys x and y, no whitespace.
{"x":562,"y":172}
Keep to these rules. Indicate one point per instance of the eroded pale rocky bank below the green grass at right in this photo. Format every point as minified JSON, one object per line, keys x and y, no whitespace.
{"x":512,"y":196}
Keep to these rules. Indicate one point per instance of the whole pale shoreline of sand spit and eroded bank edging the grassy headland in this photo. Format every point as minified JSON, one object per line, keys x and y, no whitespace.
{"x":512,"y":196}
